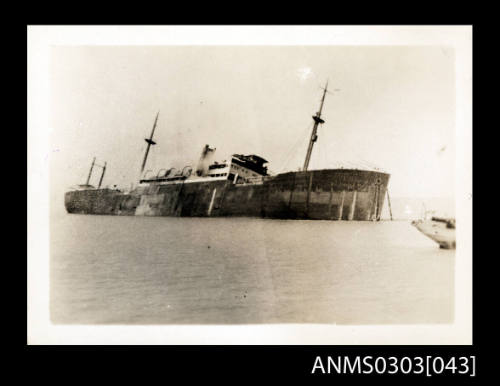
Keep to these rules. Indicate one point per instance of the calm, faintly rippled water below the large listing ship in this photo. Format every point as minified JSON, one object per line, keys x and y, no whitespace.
{"x":152,"y":270}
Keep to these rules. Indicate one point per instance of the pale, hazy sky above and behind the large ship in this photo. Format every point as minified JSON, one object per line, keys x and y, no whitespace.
{"x":394,"y":109}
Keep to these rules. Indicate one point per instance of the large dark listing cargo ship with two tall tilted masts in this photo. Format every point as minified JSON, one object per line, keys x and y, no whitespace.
{"x":239,"y":186}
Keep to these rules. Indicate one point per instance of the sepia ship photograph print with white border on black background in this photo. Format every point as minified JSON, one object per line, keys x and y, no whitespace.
{"x":250,"y":185}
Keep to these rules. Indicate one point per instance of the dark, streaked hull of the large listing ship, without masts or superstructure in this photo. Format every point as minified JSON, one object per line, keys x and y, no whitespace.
{"x":332,"y":194}
